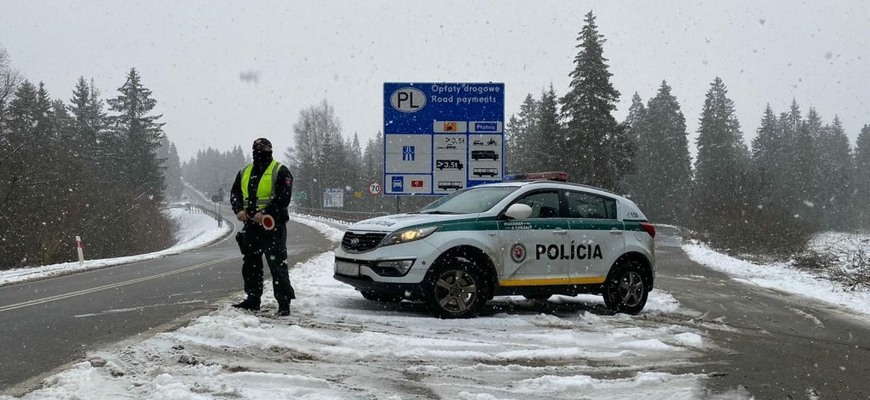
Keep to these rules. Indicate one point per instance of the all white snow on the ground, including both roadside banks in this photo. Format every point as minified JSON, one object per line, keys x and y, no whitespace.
{"x":336,"y":345}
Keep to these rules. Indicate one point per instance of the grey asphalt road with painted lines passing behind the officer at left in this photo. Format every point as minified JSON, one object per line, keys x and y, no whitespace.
{"x":48,"y":324}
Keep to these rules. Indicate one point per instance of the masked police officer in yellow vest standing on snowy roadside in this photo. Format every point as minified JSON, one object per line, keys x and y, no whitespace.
{"x":263,"y":190}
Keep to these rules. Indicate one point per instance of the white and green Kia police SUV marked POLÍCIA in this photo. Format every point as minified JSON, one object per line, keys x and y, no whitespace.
{"x":529,"y":238}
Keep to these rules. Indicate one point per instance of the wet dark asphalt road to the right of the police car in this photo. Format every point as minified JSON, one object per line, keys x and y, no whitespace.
{"x":777,"y":345}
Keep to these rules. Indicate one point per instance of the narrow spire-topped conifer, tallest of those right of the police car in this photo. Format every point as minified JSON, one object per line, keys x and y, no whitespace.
{"x":720,"y":170}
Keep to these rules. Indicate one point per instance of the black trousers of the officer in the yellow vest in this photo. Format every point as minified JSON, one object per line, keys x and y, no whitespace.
{"x":256,"y":243}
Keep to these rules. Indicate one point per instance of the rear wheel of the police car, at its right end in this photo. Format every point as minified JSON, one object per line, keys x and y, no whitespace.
{"x":625,"y":290}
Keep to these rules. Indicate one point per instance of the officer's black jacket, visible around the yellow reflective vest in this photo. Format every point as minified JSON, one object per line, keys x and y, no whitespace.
{"x":283,"y":190}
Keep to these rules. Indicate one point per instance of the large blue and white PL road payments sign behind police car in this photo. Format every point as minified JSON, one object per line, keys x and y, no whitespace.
{"x":442,"y":137}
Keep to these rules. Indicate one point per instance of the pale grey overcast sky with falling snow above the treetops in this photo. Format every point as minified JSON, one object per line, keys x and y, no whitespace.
{"x":193,"y":55}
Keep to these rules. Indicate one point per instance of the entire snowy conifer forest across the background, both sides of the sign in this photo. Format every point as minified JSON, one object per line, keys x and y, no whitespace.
{"x":105,"y":173}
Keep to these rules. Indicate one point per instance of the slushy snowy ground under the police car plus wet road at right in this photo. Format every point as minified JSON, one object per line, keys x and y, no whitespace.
{"x":703,"y":335}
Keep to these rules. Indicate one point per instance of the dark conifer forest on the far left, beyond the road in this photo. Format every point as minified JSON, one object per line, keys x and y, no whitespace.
{"x":90,"y":167}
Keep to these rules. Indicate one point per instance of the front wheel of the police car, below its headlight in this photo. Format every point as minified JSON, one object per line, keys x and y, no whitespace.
{"x":456,"y":289}
